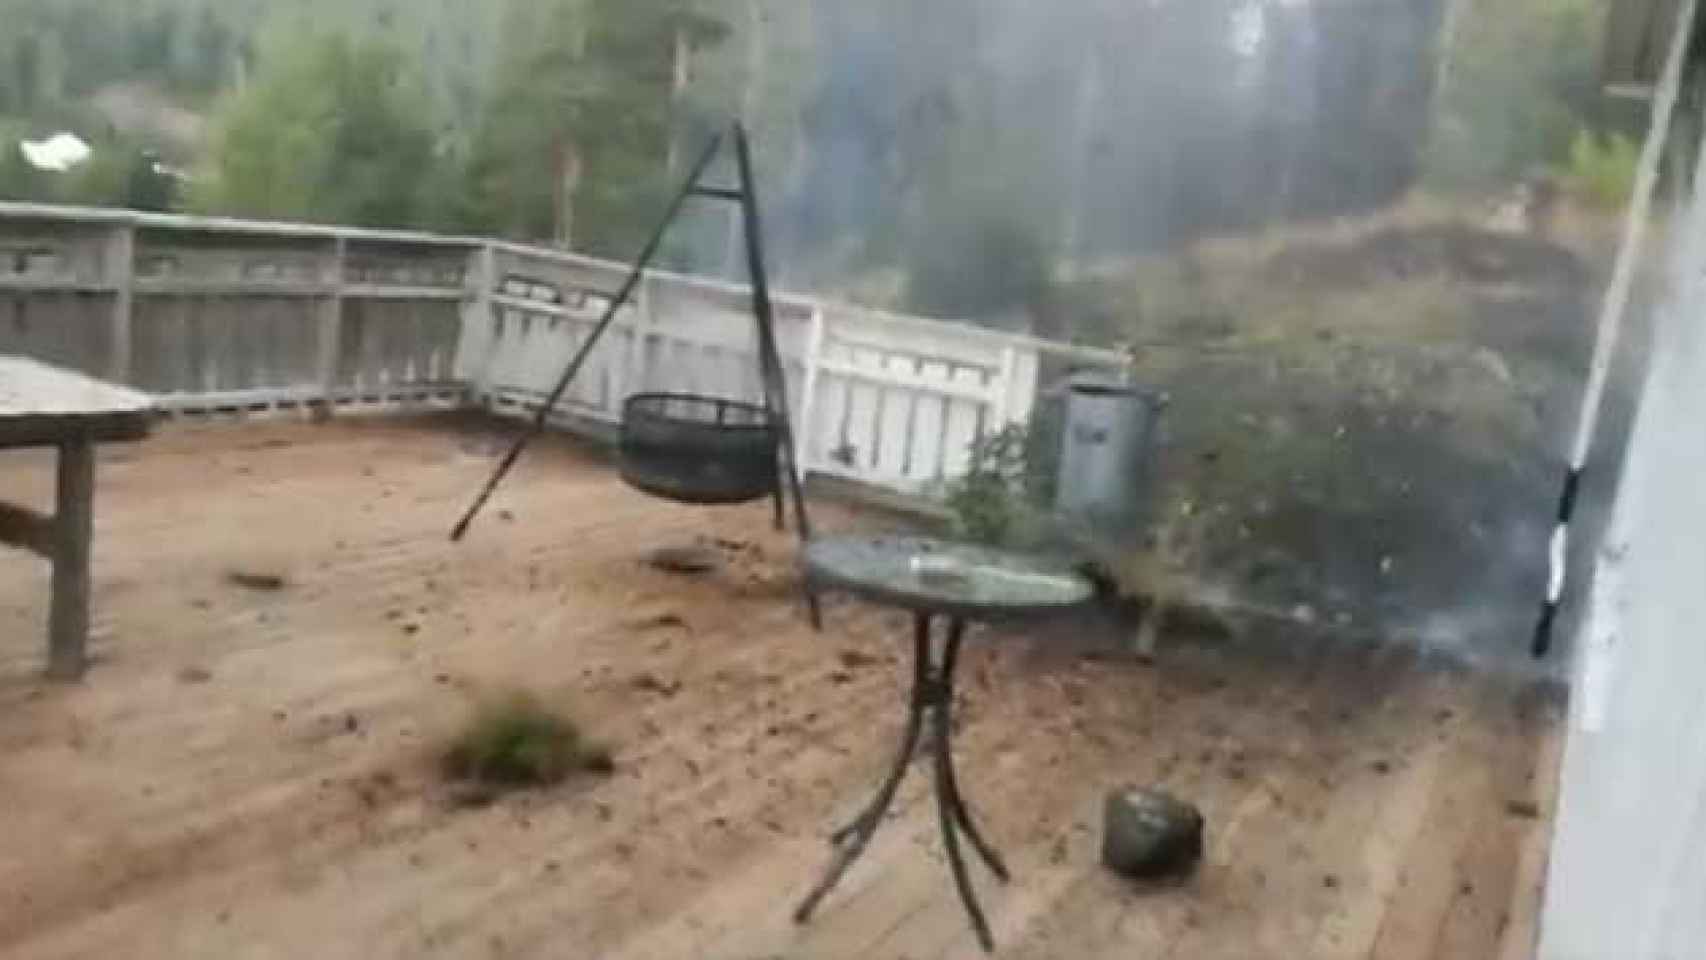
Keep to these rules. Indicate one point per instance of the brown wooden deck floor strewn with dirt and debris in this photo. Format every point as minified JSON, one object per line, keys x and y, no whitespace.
{"x":250,"y":773}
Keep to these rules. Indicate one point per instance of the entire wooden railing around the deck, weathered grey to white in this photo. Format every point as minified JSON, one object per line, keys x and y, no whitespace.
{"x":241,"y":318}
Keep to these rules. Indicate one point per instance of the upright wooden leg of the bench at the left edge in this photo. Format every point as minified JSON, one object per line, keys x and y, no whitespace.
{"x":73,"y":529}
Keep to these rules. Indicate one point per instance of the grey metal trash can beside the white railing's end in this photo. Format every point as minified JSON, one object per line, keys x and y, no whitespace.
{"x":1106,"y":449}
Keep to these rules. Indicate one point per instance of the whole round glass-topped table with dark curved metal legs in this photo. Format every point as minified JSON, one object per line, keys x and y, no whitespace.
{"x":961,"y":584}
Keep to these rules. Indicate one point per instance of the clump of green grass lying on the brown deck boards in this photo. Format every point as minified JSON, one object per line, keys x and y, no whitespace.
{"x":516,"y":741}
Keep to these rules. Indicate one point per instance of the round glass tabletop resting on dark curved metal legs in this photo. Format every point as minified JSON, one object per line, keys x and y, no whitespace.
{"x":944,"y":577}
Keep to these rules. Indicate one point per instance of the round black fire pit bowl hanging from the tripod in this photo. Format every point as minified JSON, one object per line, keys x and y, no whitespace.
{"x":699,"y":449}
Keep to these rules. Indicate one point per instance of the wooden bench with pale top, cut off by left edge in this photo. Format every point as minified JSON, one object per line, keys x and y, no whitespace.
{"x":45,"y":407}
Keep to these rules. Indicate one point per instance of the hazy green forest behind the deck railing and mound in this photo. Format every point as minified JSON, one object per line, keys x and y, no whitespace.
{"x":984,"y":144}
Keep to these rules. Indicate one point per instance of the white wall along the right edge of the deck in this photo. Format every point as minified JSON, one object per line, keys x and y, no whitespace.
{"x":1628,"y":870}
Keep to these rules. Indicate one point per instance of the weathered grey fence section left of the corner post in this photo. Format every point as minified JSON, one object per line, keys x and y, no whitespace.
{"x":229,"y":316}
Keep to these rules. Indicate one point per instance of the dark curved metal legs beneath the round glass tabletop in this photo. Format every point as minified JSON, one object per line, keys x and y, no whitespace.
{"x":934,"y":698}
